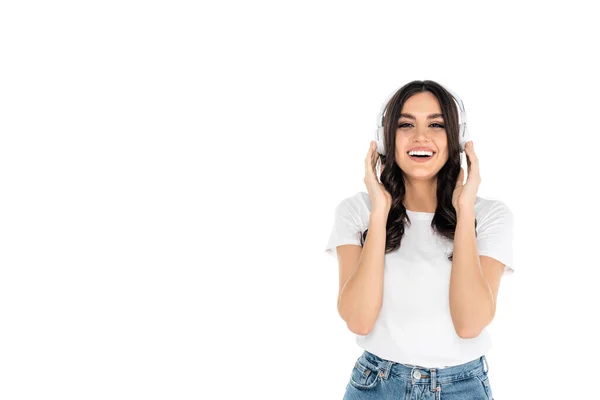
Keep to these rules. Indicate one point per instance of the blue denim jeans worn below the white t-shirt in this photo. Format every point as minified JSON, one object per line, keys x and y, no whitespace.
{"x":375,"y":378}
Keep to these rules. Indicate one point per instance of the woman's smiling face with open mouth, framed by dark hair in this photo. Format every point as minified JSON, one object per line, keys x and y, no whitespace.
{"x":416,"y":129}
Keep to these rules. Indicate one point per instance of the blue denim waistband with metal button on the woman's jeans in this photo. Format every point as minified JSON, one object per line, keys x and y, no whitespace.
{"x":423,"y":375}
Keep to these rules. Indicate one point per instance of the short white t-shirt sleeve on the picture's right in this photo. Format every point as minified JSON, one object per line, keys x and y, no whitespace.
{"x":495,"y":235}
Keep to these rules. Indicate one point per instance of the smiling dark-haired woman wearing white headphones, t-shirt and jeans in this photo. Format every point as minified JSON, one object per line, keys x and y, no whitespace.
{"x":420,"y":257}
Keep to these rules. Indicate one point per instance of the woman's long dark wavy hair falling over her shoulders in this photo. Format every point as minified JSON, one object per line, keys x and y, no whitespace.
{"x":444,"y":219}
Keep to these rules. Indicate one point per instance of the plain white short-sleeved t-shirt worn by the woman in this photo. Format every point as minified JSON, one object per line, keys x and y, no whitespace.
{"x":414,"y":325}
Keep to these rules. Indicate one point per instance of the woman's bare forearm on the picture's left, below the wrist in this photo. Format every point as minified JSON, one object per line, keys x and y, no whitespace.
{"x":361,"y":297}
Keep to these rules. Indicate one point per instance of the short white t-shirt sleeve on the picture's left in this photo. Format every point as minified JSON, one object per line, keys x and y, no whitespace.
{"x":347,"y":228}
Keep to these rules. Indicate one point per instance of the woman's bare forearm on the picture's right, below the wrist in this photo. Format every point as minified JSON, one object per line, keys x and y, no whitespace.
{"x":471,"y":299}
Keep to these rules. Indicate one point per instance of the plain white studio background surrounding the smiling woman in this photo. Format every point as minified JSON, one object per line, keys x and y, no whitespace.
{"x":169,"y":172}
